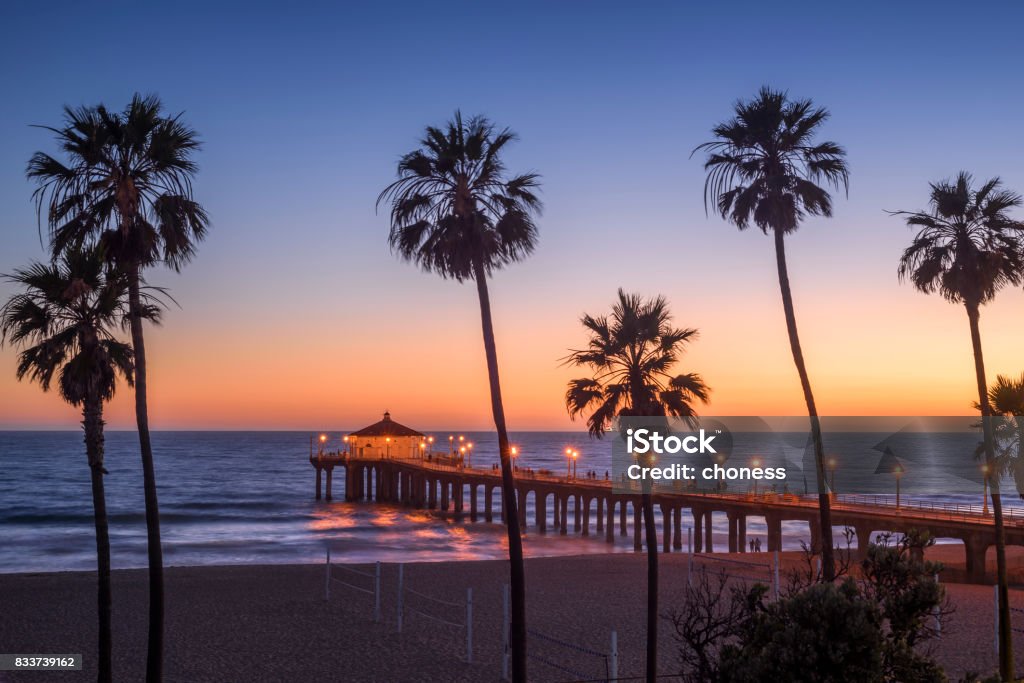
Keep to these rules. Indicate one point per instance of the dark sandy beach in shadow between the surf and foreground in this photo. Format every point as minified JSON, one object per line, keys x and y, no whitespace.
{"x":272,"y":623}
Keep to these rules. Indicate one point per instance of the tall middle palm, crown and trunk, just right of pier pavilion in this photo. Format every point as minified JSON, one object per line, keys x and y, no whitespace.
{"x":456,"y":212}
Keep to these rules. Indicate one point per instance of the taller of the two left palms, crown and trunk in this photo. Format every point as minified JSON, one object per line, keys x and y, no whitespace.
{"x":125,"y":183}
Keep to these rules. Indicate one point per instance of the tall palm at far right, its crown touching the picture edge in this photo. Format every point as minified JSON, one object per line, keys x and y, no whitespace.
{"x":967,"y":248}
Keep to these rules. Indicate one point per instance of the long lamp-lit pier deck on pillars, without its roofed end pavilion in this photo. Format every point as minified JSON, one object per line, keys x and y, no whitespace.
{"x":436,"y":484}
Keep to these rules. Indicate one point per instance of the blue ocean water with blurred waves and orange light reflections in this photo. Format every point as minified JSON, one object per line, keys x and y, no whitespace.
{"x":247,"y":498}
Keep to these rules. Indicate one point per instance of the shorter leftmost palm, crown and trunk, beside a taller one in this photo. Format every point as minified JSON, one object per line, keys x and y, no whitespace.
{"x":65,"y":322}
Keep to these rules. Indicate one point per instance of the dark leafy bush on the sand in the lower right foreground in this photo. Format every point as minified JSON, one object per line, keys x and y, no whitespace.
{"x":873,"y":629}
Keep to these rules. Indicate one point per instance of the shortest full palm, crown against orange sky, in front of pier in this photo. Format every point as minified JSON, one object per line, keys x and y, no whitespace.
{"x":632,"y":356}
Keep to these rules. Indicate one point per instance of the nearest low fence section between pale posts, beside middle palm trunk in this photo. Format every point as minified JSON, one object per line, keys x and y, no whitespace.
{"x":568,"y":658}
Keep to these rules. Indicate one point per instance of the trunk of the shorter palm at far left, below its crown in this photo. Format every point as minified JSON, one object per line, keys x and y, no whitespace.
{"x":93,"y":422}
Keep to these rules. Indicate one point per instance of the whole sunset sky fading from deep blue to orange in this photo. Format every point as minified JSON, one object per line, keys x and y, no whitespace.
{"x":294,"y":315}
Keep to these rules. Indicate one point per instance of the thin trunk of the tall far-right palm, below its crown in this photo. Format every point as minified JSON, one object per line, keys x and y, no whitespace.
{"x":1006,"y":635}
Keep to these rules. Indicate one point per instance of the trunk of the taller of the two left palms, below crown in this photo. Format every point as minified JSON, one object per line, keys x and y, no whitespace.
{"x":155,"y":646}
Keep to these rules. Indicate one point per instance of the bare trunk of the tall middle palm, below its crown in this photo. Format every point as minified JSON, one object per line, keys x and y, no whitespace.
{"x":518,"y":578}
